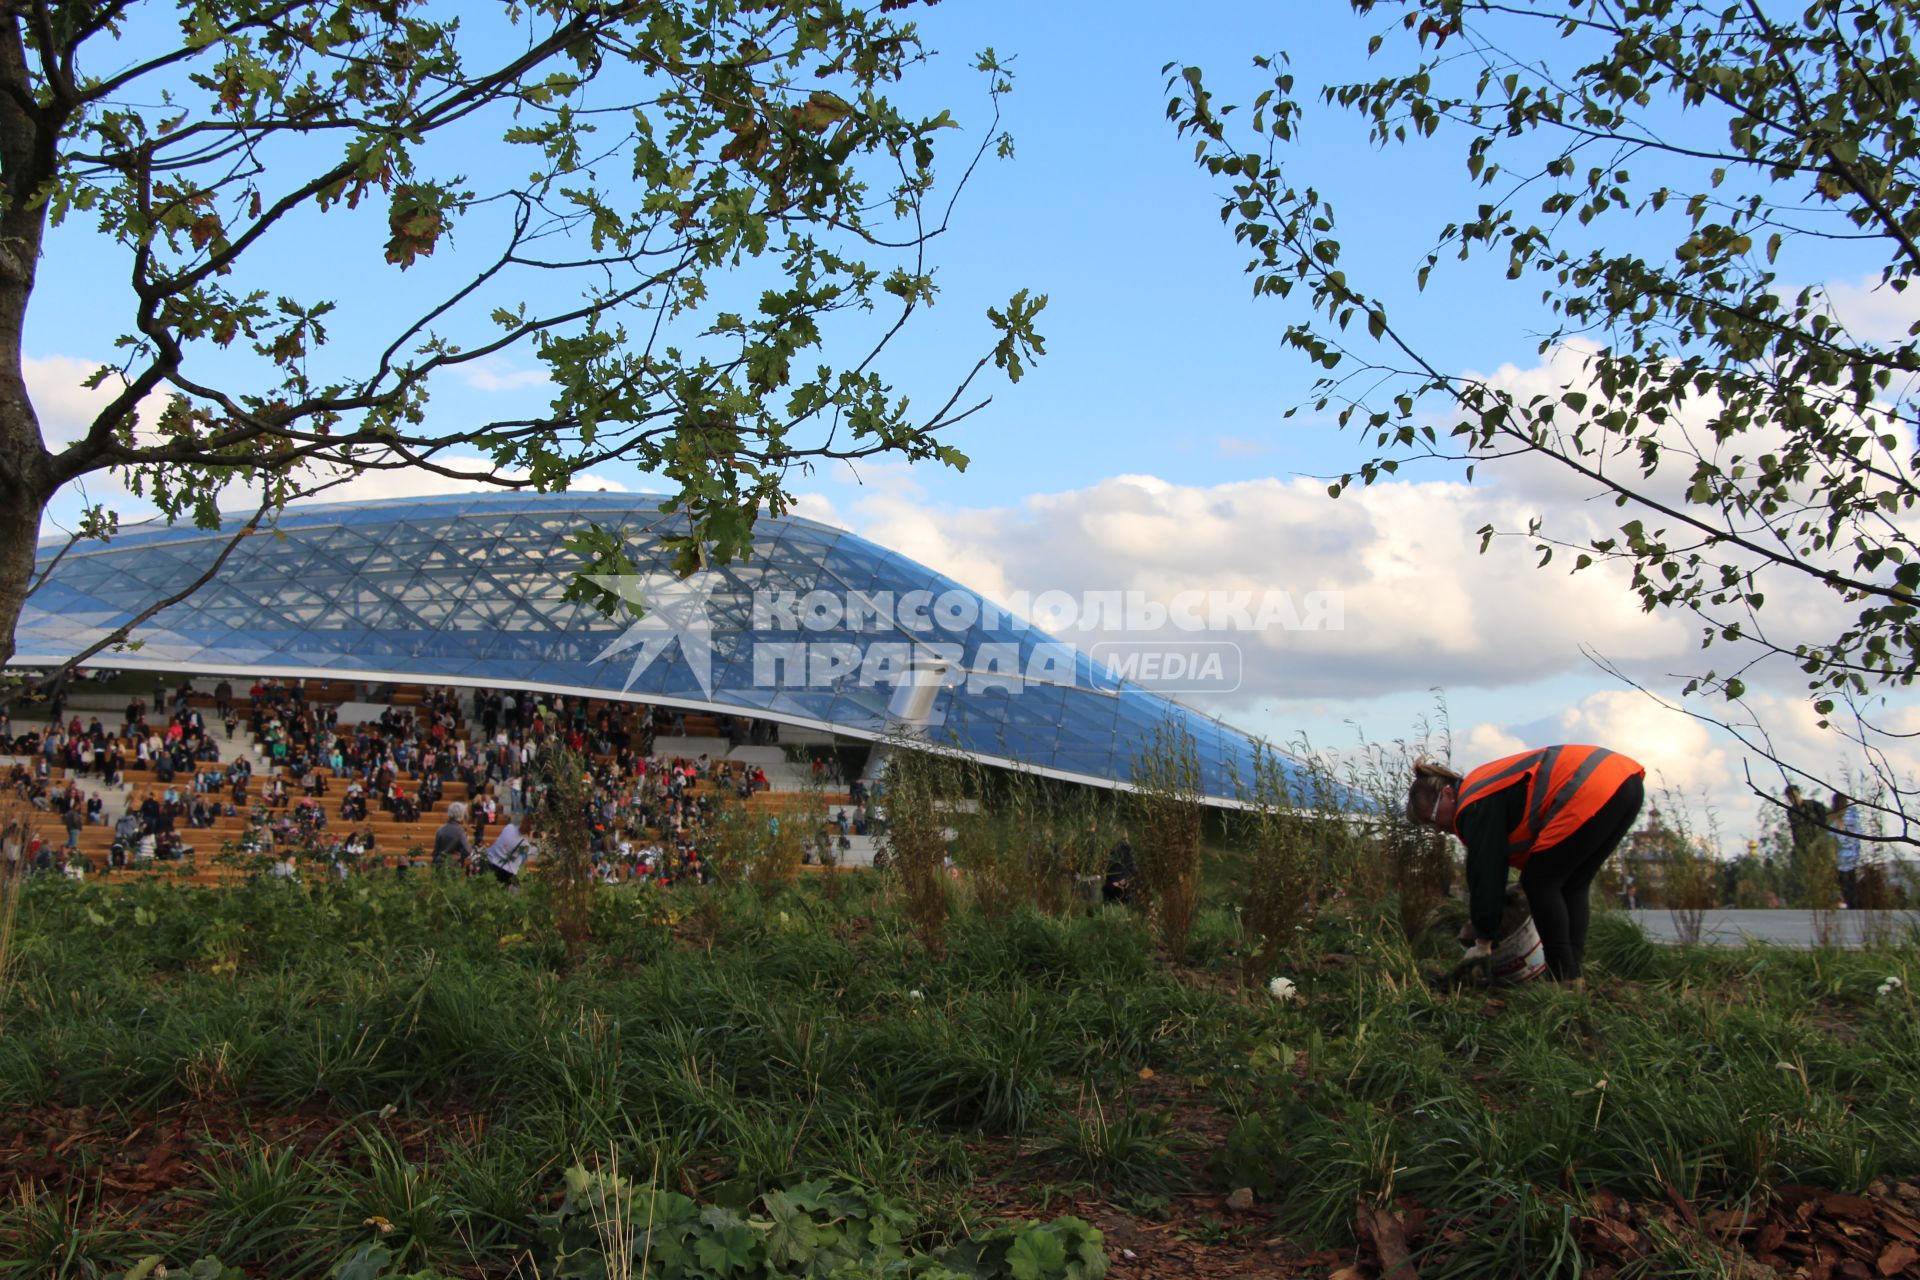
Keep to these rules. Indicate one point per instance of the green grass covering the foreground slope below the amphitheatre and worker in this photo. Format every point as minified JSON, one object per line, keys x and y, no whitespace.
{"x":446,"y":1070}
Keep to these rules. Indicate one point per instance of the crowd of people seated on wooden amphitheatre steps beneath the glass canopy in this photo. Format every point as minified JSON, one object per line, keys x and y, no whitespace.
{"x":648,"y":817}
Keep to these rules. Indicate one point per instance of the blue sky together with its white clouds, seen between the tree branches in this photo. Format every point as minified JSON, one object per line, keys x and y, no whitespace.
{"x":1149,"y":448}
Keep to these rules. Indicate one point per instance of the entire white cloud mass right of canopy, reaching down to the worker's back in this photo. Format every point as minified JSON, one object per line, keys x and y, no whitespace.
{"x":1422,"y":609}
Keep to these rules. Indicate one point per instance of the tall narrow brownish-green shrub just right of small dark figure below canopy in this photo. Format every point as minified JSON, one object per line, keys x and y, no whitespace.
{"x":1168,"y":813}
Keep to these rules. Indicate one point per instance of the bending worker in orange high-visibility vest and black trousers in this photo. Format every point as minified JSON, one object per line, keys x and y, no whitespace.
{"x":1554,"y":815}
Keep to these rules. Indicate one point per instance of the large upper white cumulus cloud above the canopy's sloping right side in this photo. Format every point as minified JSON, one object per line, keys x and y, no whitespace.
{"x":1418,"y":607}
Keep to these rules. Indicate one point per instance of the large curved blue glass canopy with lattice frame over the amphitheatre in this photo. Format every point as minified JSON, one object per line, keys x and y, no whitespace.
{"x":819,"y":628}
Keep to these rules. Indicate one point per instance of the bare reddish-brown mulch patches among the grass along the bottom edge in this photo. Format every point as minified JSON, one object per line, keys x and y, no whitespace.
{"x":135,"y":1168}
